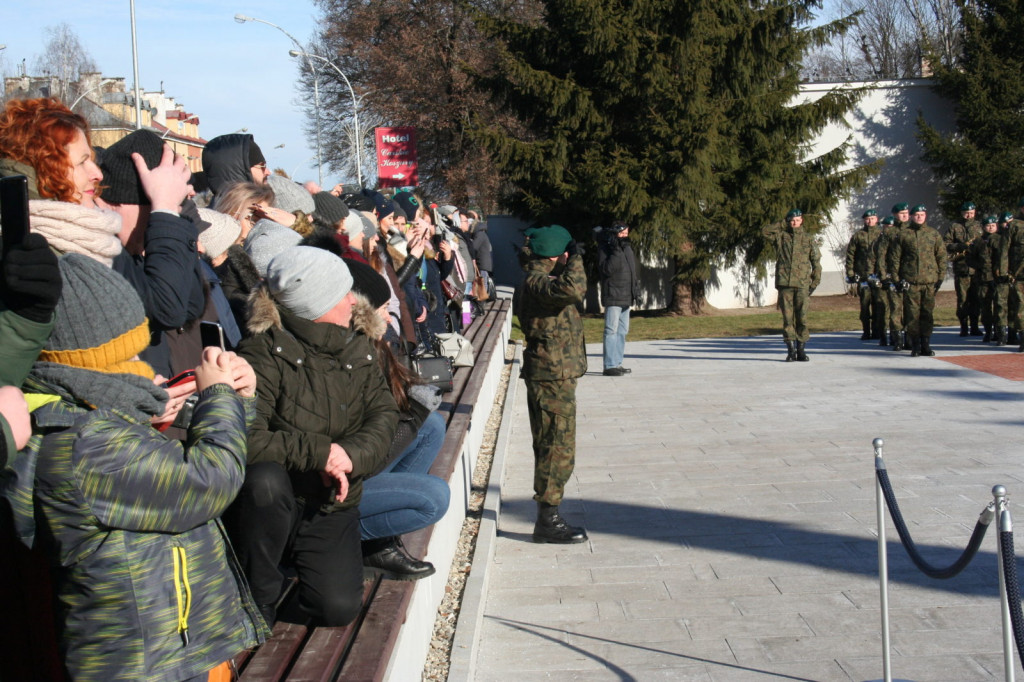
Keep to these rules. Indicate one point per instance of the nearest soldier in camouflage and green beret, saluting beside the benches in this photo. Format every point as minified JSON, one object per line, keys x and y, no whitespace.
{"x":554,"y":360}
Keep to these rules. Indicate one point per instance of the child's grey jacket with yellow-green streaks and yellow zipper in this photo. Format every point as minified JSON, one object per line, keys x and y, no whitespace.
{"x":146,"y":582}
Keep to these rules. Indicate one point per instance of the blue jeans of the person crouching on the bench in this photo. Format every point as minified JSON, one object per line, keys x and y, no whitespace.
{"x":404,"y":497}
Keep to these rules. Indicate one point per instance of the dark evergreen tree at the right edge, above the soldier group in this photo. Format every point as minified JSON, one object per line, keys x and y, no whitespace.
{"x":983,"y":161}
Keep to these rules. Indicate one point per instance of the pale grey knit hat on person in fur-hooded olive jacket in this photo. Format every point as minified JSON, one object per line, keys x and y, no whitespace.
{"x":308,"y":281}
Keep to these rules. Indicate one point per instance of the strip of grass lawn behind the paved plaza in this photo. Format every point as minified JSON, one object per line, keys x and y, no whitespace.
{"x":829,"y":314}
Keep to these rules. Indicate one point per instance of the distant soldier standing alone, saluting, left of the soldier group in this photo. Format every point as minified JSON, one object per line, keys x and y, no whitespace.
{"x":798,"y":272}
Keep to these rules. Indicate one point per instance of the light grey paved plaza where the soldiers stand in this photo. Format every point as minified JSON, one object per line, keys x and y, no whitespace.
{"x":730,"y":499}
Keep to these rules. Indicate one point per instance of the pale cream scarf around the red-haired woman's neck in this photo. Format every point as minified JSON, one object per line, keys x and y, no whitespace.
{"x":74,"y":229}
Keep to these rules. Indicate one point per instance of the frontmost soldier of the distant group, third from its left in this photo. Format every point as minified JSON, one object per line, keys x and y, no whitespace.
{"x":918,"y":262}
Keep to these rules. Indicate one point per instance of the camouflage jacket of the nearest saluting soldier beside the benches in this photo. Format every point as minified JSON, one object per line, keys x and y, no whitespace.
{"x":550,"y":320}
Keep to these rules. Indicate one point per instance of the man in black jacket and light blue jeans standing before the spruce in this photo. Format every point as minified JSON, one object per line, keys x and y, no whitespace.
{"x":620,"y":289}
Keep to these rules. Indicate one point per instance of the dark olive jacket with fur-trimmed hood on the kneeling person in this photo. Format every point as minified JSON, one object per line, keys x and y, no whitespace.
{"x":319,"y":385}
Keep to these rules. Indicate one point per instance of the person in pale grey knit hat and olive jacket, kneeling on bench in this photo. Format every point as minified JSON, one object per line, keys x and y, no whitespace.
{"x":325,"y":422}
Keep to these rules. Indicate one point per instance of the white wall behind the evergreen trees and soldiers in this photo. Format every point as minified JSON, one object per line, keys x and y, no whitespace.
{"x":883,"y":126}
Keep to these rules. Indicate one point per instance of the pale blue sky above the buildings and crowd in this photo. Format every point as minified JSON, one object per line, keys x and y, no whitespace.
{"x":231,"y":75}
